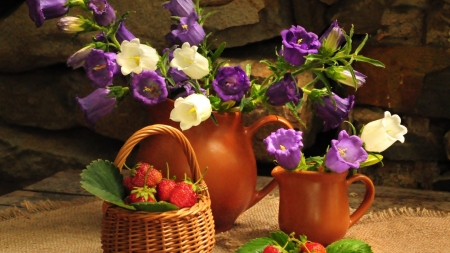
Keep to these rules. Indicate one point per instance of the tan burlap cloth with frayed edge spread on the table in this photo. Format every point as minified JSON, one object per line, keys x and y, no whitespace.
{"x":77,"y":229}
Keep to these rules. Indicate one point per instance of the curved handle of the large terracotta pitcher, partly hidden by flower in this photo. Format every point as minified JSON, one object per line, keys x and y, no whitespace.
{"x":251,"y":130}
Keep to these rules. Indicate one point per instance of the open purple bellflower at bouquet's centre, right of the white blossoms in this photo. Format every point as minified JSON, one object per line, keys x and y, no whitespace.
{"x":231,"y":83}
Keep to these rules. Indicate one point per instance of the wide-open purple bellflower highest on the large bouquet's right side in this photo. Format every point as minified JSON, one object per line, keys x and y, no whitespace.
{"x":298,"y":43}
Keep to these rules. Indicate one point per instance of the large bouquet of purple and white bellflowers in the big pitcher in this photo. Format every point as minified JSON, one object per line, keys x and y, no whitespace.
{"x":190,"y":72}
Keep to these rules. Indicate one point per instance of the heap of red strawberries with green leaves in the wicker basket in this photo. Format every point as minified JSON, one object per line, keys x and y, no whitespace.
{"x":144,"y":190}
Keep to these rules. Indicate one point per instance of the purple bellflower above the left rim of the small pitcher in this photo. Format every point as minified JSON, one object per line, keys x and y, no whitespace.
{"x":285,"y":145}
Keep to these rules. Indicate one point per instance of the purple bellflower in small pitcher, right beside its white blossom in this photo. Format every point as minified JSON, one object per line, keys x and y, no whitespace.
{"x":345,"y":152}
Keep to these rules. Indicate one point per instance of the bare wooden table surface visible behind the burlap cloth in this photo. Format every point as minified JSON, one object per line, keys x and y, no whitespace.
{"x":65,"y":187}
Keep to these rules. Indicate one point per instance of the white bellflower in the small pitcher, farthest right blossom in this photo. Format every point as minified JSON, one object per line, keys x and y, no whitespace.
{"x":380,"y":134}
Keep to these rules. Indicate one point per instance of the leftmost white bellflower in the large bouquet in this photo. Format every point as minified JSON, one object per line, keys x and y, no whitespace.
{"x":135,"y":57}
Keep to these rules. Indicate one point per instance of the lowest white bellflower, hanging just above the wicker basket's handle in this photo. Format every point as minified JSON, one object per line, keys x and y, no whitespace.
{"x":191,"y":111}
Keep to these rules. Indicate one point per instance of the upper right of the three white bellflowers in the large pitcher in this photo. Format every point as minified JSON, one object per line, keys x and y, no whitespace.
{"x":188,"y":60}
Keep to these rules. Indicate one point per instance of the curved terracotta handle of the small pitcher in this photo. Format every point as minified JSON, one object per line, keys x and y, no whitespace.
{"x":368,"y":198}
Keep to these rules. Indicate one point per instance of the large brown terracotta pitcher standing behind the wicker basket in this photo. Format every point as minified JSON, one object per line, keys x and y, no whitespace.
{"x":225,"y":149}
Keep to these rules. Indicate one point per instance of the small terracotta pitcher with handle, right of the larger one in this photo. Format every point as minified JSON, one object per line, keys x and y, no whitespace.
{"x":315,"y":204}
